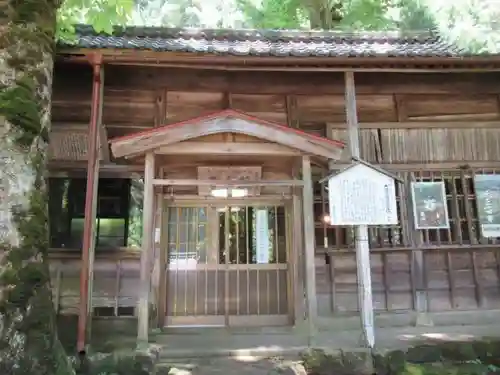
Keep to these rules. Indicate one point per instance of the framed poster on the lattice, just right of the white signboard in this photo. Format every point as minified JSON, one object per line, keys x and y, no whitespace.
{"x":430,"y":209}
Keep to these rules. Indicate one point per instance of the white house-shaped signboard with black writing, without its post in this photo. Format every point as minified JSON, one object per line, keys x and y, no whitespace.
{"x":361,"y":195}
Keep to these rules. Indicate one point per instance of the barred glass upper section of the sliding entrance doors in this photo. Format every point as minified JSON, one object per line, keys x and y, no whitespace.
{"x":238,"y":234}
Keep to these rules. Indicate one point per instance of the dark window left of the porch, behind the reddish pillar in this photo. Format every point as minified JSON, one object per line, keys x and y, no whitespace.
{"x":118,"y":206}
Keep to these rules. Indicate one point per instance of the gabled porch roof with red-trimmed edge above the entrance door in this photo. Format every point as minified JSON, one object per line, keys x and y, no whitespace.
{"x":226,"y":121}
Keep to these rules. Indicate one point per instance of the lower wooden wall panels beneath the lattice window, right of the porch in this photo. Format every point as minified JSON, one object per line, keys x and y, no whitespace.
{"x":455,"y":280}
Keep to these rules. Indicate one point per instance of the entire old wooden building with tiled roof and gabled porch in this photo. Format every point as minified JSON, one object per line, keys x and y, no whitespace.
{"x":184,"y":169}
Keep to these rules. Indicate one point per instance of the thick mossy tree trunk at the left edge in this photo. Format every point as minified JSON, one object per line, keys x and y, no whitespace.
{"x":28,"y":335}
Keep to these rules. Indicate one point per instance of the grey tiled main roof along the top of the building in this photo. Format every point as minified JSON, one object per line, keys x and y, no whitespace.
{"x":270,"y":42}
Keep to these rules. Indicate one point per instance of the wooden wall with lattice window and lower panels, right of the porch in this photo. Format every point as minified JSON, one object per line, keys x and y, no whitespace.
{"x":459,"y":270}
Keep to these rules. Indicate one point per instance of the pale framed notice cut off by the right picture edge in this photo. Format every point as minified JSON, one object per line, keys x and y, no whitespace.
{"x":487,"y":188}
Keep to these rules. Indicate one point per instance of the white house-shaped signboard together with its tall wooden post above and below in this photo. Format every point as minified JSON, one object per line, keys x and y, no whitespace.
{"x":361,"y":195}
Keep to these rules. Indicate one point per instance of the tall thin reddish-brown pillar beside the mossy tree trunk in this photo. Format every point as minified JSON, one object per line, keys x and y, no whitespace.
{"x":88,"y":243}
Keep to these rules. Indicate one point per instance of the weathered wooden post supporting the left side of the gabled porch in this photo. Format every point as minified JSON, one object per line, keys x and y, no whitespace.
{"x":147,"y":247}
